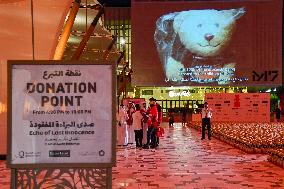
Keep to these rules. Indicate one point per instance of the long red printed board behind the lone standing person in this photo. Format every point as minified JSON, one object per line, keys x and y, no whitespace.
{"x":239,"y":107}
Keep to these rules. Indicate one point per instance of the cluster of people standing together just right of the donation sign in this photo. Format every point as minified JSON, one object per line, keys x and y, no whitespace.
{"x":139,"y":124}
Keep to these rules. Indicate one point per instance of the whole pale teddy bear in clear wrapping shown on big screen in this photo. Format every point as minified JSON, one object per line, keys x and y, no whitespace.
{"x":205,"y":34}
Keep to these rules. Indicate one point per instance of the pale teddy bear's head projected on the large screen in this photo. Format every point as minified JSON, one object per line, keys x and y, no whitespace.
{"x":206,"y":33}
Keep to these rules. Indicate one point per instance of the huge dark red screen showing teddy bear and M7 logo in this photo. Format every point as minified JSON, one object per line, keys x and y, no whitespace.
{"x":207,"y":42}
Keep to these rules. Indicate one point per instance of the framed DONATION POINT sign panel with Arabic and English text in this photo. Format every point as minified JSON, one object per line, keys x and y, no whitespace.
{"x":61,"y":114}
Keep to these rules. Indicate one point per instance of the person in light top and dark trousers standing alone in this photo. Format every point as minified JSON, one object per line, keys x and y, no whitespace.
{"x":206,"y":114}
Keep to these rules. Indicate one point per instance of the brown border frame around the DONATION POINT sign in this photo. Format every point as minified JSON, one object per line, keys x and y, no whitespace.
{"x":110,"y":164}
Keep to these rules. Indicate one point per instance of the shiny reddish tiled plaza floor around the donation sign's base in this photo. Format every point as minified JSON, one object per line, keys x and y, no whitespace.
{"x":184,"y":161}
